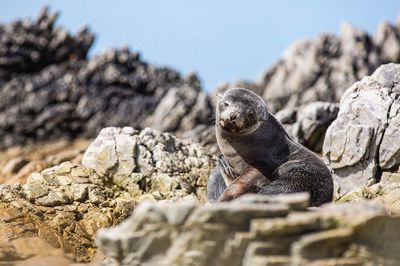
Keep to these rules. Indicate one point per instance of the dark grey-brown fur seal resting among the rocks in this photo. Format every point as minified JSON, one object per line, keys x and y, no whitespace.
{"x":258,"y":156}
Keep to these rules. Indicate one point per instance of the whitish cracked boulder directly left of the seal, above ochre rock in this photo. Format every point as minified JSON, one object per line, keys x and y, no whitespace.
{"x":159,"y":163}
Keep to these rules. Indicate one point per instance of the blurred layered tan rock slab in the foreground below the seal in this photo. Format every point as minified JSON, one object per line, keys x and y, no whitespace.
{"x":254,"y":230}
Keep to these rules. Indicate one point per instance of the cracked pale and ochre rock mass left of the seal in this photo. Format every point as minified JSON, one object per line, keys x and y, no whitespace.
{"x":65,"y":205}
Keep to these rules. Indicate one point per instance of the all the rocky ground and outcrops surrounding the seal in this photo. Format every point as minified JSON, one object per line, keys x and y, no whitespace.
{"x":86,"y":141}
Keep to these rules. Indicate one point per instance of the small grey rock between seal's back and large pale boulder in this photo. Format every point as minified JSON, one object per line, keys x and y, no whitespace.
{"x":308,"y":123}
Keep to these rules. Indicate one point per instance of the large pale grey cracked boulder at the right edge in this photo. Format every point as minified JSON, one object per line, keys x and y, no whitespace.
{"x":364,"y":140}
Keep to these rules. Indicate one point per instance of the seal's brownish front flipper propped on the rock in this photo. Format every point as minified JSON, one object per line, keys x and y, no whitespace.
{"x":251,"y":181}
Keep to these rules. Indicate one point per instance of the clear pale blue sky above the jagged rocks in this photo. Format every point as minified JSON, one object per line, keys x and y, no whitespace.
{"x":222,"y":40}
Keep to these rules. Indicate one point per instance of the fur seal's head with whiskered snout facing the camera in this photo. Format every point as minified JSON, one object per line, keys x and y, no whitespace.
{"x":240,"y":111}
